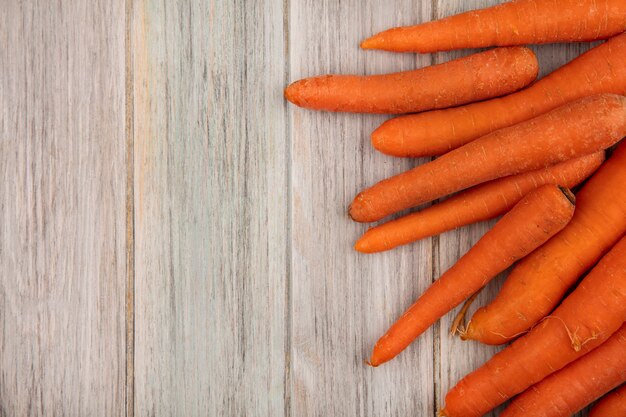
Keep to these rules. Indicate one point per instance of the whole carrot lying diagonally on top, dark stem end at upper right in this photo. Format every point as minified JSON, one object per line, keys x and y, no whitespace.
{"x":541,"y":214}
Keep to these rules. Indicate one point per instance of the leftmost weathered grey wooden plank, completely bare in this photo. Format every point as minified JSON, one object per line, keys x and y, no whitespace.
{"x":62,"y":208}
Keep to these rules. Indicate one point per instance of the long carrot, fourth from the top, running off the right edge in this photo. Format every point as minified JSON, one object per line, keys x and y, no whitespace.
{"x":576,"y":129}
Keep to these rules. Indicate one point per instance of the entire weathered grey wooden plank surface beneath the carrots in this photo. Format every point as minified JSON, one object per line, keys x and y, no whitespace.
{"x":173,"y":236}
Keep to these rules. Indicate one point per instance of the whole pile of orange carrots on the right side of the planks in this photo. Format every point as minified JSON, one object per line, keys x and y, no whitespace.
{"x":546,"y":156}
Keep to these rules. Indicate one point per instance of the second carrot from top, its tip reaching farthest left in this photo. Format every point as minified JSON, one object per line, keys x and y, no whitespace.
{"x":476,"y":77}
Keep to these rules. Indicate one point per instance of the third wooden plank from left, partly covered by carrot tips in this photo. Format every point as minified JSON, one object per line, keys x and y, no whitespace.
{"x":342,"y":301}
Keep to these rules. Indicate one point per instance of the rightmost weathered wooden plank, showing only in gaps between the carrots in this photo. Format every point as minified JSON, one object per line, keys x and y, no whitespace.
{"x":459,"y":358}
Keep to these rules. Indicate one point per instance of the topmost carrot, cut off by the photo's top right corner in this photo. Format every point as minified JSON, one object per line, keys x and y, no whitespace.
{"x":518,"y":22}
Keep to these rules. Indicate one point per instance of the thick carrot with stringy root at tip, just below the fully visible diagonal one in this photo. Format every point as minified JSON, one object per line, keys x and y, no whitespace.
{"x":538,"y":282}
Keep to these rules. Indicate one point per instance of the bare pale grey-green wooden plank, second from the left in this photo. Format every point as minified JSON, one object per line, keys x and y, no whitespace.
{"x":211,"y":207}
